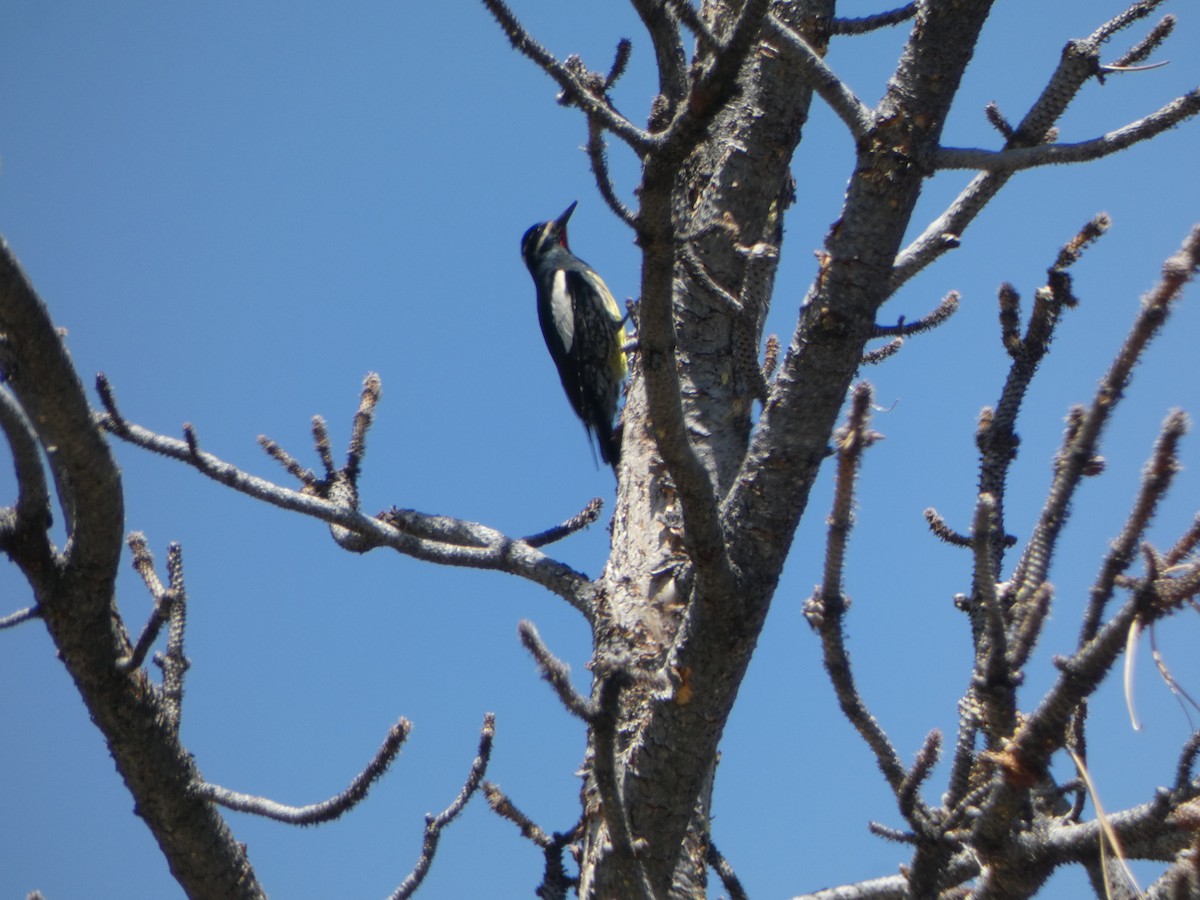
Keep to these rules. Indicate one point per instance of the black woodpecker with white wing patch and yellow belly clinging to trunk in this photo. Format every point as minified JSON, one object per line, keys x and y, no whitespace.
{"x":584,"y":331}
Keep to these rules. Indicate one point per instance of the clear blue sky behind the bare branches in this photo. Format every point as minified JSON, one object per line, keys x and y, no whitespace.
{"x":237,"y":212}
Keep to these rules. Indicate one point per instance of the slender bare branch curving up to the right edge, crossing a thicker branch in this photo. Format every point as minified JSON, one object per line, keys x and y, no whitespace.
{"x":1027,"y":158}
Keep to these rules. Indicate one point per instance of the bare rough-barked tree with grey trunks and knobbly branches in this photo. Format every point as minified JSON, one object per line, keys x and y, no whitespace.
{"x":721,"y":458}
